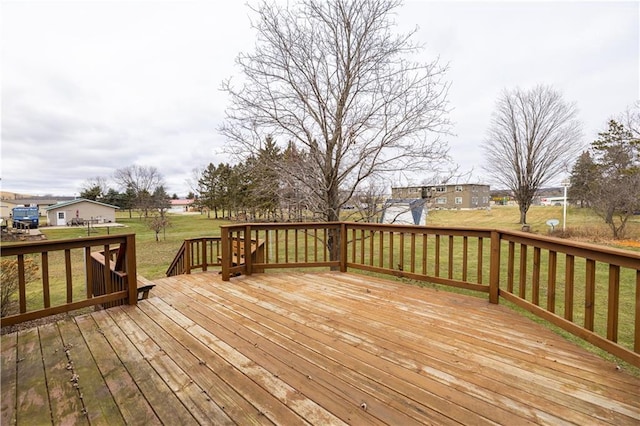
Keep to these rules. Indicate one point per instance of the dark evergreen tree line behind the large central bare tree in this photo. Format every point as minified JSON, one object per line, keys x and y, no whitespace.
{"x":264,"y":187}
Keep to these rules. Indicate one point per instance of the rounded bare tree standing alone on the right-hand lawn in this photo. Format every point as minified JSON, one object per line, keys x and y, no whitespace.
{"x":533,"y":136}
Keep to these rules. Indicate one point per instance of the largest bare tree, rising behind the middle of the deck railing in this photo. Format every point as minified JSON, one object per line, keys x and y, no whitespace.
{"x":333,"y":78}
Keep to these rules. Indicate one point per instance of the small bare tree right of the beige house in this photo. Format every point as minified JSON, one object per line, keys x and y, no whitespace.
{"x":143,"y":181}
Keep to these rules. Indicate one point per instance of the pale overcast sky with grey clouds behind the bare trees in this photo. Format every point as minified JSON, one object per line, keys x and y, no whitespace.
{"x":89,"y":87}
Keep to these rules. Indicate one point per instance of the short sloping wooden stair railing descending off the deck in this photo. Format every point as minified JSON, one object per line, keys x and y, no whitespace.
{"x":196,"y":254}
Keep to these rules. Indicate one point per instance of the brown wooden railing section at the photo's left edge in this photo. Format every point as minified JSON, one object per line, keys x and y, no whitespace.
{"x":69,"y":268}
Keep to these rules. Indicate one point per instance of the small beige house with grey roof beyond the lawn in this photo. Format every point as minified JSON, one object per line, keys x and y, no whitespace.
{"x":80,"y":211}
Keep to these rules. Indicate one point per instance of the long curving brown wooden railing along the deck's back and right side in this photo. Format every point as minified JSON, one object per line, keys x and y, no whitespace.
{"x":590,"y":291}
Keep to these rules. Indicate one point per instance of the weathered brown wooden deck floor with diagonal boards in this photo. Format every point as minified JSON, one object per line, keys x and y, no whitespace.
{"x":322,"y":348}
